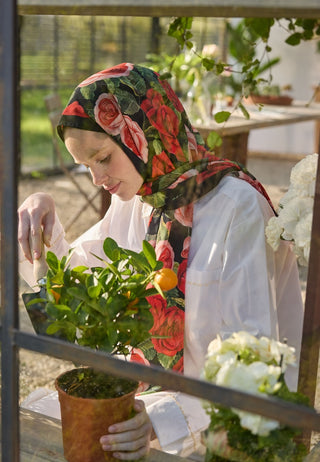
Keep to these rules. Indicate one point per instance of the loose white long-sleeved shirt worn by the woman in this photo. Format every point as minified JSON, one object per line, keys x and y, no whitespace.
{"x":235,"y":281}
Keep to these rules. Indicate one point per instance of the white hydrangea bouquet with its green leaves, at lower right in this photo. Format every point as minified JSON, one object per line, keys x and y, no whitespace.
{"x":257,"y":366}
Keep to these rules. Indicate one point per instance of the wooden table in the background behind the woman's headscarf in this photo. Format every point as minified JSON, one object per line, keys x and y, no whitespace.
{"x":235,"y":132}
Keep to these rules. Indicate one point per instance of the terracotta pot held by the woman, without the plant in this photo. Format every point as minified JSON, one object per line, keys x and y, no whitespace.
{"x":85,"y":420}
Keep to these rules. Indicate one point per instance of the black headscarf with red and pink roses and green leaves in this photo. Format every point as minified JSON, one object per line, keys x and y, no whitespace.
{"x":143,"y":115}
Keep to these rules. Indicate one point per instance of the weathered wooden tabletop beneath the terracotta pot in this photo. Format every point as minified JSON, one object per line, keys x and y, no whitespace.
{"x":41,"y":441}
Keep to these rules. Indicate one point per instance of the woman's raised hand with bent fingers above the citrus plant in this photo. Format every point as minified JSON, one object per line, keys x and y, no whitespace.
{"x":36,"y":219}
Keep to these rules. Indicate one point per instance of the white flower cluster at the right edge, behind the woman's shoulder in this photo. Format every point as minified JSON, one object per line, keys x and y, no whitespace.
{"x":294,"y":220}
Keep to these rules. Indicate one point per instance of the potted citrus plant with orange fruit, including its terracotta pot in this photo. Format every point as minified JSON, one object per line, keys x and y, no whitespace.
{"x":105,"y":308}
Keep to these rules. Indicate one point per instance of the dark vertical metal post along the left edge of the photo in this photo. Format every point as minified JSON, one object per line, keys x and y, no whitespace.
{"x":8,"y":184}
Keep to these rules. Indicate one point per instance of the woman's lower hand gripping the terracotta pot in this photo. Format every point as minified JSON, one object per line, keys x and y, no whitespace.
{"x":130,"y":439}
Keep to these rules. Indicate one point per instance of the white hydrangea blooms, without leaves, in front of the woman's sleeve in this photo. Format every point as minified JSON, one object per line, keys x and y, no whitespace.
{"x":247,"y":363}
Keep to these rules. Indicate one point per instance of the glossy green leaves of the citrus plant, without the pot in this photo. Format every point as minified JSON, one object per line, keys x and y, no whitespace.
{"x":103,"y":307}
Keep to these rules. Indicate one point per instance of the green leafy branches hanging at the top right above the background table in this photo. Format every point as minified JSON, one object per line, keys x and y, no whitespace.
{"x":244,"y":76}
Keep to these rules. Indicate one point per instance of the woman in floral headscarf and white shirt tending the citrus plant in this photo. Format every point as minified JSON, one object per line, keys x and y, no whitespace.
{"x":206,"y":218}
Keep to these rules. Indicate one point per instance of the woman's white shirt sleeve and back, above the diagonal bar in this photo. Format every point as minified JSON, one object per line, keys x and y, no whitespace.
{"x":235,"y":281}
